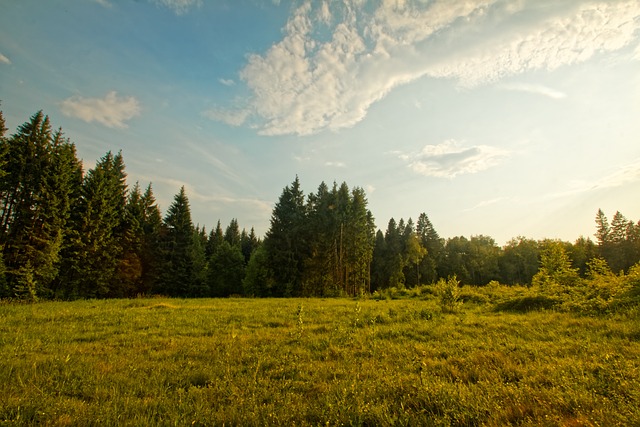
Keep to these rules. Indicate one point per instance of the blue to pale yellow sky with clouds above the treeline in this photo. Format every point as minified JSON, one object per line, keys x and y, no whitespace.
{"x":501,"y":118}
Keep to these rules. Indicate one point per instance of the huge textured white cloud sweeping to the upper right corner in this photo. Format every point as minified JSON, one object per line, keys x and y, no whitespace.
{"x":304,"y":84}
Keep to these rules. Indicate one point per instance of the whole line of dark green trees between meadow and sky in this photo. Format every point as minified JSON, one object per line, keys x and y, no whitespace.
{"x":67,"y":234}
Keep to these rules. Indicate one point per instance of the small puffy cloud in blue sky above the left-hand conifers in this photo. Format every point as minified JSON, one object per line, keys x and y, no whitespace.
{"x":111,"y":111}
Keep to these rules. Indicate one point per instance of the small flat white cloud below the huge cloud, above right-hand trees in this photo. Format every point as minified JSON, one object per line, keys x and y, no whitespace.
{"x":450,"y":159}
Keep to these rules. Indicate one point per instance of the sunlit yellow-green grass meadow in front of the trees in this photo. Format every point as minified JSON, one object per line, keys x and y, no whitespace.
{"x":315,"y":362}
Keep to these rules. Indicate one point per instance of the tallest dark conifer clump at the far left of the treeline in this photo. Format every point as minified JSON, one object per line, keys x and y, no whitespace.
{"x":35,"y":196}
